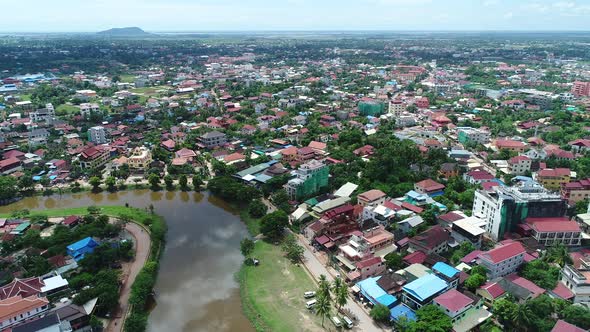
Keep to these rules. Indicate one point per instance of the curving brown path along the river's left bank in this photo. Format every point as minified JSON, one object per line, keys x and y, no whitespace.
{"x":130,"y":271}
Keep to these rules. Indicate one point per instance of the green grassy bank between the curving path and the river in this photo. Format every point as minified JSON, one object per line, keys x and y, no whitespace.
{"x":144,"y":274}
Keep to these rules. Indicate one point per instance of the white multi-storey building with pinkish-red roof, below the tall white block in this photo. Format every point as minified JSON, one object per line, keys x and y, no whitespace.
{"x":502,"y":260}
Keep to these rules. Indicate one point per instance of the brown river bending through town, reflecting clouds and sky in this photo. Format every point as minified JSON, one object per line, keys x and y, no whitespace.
{"x":196,"y":289}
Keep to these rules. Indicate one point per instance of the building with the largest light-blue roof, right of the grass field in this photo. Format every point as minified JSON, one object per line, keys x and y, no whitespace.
{"x":423,"y":290}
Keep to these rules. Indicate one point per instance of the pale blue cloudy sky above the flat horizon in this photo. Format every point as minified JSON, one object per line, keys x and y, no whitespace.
{"x":289,"y":15}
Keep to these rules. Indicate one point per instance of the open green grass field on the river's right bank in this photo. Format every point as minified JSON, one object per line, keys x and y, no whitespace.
{"x":272,"y":293}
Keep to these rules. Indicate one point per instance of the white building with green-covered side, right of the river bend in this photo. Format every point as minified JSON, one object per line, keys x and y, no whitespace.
{"x":311,"y":177}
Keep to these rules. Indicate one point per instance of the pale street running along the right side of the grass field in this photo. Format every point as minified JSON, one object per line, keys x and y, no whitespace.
{"x":365,"y":323}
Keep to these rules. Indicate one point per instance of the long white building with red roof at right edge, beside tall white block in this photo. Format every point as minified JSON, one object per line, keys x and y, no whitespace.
{"x":549,"y":231}
